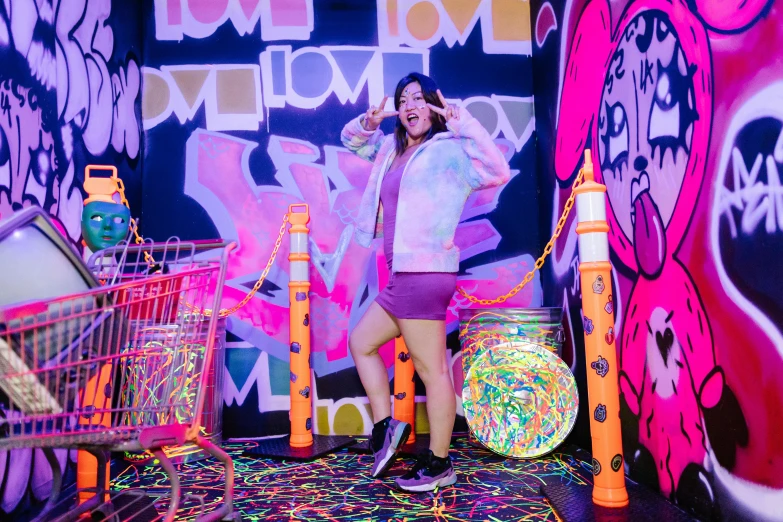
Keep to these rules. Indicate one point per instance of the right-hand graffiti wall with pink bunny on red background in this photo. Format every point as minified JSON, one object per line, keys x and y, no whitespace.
{"x":680,"y":103}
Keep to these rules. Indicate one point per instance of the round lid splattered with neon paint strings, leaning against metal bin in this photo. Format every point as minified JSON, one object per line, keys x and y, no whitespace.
{"x":520,"y":400}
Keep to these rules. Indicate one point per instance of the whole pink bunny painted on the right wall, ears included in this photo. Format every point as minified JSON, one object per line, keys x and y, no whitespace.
{"x":640,"y":95}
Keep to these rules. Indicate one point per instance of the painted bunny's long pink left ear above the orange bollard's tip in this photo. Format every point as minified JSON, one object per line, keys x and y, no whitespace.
{"x":585,"y":71}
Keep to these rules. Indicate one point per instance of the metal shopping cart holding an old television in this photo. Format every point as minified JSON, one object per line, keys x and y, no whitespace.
{"x":119,"y":368}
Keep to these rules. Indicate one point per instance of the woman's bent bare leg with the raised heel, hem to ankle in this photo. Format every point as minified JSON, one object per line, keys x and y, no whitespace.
{"x":375,"y":329}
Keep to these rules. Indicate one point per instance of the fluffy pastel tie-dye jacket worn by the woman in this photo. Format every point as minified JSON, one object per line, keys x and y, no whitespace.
{"x":436,"y":182}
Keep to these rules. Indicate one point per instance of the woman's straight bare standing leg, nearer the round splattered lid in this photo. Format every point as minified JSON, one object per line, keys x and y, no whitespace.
{"x":426,"y":342}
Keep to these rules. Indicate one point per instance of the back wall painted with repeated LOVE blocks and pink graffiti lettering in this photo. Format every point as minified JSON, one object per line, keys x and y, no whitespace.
{"x":243,"y":104}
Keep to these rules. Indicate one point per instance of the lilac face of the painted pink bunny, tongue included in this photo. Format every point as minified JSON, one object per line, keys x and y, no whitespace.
{"x":645,"y":130}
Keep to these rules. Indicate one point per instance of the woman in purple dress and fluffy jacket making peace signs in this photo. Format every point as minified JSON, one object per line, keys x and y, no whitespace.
{"x":421,"y":177}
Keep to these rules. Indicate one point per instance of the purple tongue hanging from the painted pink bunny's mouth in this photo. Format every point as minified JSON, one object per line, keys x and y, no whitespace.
{"x":649,"y":236}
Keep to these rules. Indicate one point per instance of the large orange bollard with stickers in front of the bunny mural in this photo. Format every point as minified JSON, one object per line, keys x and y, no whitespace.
{"x":600,"y":352}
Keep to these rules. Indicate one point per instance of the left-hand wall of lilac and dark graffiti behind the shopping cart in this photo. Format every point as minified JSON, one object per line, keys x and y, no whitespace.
{"x":70,"y":95}
